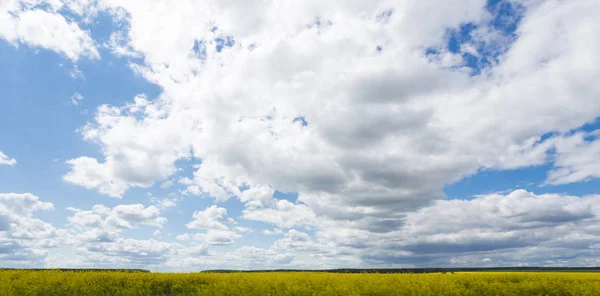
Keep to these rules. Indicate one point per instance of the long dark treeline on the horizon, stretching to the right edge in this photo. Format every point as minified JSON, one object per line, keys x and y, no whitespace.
{"x":417,"y":270}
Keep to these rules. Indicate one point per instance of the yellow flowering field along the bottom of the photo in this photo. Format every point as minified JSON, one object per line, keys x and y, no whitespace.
{"x":461,"y":283}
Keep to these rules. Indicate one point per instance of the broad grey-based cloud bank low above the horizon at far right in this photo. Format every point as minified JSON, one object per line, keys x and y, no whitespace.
{"x":504,"y":227}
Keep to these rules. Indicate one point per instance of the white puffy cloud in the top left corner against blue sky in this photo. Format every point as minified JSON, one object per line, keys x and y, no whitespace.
{"x":48,"y":29}
